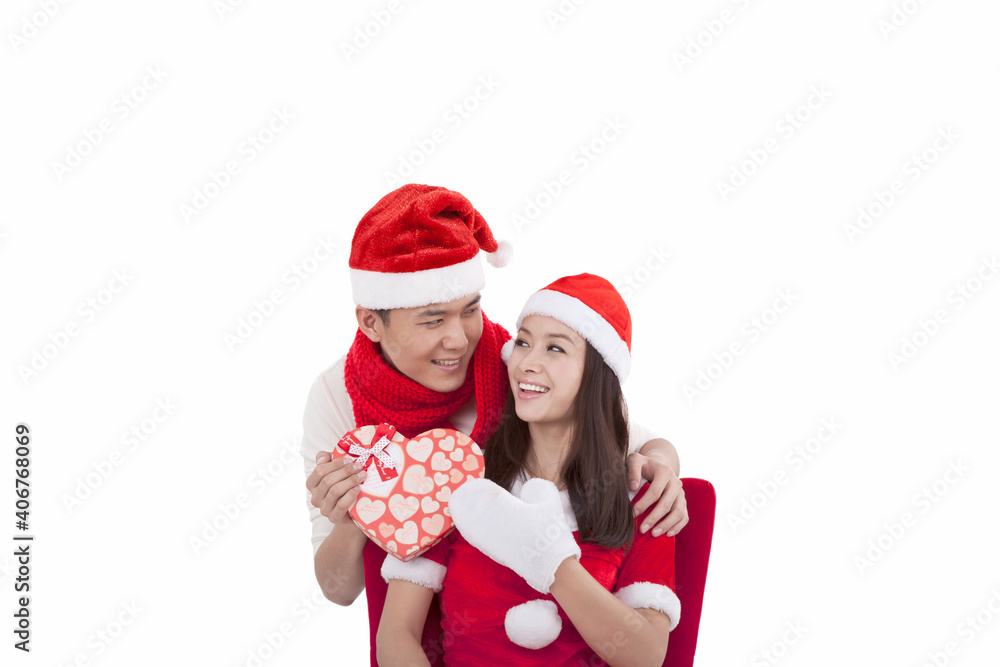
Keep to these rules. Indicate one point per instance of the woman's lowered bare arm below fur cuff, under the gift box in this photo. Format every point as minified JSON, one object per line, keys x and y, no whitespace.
{"x":402,"y":624}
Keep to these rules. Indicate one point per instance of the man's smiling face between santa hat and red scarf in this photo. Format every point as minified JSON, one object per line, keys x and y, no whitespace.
{"x":433,"y":344}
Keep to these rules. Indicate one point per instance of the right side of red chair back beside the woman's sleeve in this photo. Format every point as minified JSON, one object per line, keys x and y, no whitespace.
{"x":691,"y":549}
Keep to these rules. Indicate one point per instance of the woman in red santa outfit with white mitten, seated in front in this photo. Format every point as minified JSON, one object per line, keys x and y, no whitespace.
{"x":547,"y":565}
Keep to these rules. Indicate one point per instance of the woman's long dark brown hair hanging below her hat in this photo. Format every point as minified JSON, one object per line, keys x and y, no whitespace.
{"x":594,"y":470}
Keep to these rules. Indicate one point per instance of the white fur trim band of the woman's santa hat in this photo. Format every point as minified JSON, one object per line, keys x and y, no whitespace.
{"x":579,"y":317}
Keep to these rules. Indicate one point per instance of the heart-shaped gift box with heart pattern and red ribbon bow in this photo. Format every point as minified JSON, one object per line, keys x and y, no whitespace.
{"x":406,"y":512}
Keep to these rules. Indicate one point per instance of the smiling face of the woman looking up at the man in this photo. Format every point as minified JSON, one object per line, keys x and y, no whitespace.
{"x":545,"y":370}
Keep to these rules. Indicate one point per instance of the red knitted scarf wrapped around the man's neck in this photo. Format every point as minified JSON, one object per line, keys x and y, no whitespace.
{"x":380,"y":393}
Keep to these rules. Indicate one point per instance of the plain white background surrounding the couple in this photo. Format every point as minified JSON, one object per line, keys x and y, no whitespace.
{"x":653,"y":189}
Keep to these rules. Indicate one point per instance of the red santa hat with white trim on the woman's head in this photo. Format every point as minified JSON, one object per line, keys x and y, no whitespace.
{"x":592,"y":307}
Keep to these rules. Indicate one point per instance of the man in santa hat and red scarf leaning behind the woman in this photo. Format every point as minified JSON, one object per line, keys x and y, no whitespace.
{"x":425,"y":356}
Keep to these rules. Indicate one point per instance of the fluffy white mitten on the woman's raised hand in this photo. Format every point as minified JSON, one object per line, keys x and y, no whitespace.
{"x":527,"y":534}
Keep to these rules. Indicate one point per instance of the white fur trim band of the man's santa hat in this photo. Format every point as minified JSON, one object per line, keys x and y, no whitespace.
{"x":375,"y":290}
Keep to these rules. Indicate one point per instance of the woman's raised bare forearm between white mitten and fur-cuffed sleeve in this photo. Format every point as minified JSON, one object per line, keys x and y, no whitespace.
{"x":619,"y":634}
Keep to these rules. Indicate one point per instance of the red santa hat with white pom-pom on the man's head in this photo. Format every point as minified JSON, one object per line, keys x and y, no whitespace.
{"x":420,"y":245}
